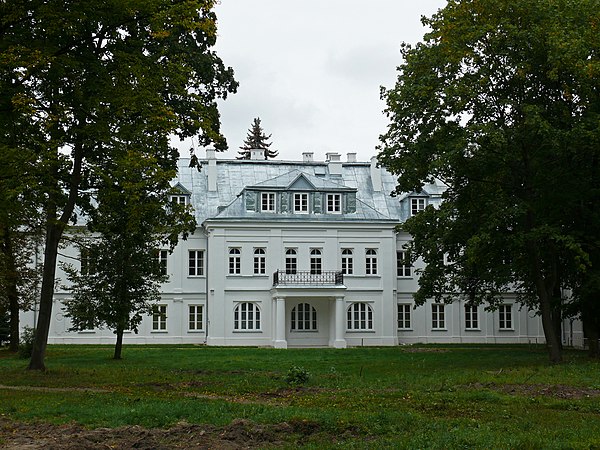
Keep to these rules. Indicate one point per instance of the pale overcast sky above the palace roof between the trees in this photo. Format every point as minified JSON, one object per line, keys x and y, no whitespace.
{"x":312,"y":69}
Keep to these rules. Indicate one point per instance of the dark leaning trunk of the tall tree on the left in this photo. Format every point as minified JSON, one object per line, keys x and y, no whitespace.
{"x":38,"y":354}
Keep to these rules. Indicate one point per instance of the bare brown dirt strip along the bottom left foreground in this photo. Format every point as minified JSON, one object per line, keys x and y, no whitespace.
{"x":237,"y":435}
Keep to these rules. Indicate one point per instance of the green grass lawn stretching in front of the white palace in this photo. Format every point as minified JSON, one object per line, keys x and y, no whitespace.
{"x":399,"y":397}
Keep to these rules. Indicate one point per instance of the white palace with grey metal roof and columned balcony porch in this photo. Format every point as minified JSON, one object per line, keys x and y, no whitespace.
{"x":301,"y":254}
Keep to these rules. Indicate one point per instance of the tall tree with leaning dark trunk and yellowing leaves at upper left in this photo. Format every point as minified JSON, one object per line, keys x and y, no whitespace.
{"x":81,"y":72}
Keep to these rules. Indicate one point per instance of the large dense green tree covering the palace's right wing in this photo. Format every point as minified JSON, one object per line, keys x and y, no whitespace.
{"x":501,"y":103}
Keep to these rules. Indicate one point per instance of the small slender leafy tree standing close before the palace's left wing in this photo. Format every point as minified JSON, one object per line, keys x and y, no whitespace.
{"x":120,"y":277}
